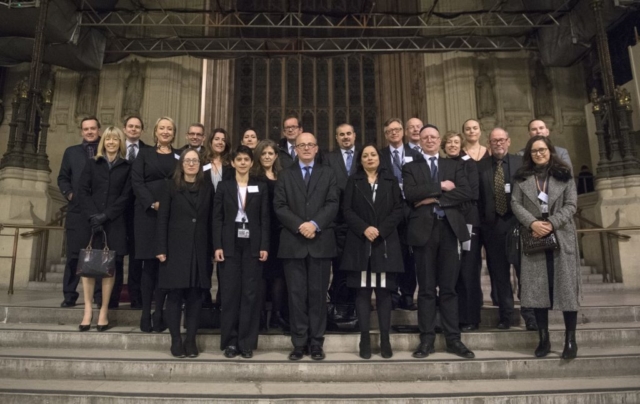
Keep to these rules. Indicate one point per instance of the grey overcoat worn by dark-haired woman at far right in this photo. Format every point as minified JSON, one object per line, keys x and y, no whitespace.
{"x":566,"y":283}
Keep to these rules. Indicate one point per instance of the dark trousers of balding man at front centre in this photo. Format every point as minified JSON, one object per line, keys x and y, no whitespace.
{"x":307,"y":283}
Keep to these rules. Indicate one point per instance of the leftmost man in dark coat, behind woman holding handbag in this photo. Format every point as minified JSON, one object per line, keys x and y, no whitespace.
{"x":76,"y":224}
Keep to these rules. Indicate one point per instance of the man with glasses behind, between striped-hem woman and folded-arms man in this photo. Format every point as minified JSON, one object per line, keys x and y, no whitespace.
{"x":393,"y":157}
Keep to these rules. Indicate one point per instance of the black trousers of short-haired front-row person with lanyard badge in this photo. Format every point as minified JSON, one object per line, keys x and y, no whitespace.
{"x":241,"y":275}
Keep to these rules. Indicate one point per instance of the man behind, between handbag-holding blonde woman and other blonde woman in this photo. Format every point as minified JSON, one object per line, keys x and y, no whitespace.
{"x":133,"y":127}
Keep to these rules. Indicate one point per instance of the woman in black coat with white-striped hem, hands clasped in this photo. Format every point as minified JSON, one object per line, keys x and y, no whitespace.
{"x":372,"y":208}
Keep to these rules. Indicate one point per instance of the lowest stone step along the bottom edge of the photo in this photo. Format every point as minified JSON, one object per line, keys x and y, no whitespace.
{"x":532,"y":391}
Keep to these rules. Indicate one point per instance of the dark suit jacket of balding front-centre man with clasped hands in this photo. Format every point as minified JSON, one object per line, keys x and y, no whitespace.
{"x":295,"y":204}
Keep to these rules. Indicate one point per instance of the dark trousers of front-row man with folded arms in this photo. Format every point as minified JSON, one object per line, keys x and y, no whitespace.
{"x":438,"y":265}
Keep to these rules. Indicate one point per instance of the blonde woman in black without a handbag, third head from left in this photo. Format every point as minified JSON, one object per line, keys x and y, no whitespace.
{"x":151,"y":172}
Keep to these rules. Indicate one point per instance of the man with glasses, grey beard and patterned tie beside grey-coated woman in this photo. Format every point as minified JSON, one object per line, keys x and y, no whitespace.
{"x":494,"y":206}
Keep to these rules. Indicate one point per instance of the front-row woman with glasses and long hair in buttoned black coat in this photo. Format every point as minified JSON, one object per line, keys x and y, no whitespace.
{"x":184,"y":249}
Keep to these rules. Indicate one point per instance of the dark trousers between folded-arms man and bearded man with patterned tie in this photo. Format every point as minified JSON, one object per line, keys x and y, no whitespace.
{"x":469,"y":286}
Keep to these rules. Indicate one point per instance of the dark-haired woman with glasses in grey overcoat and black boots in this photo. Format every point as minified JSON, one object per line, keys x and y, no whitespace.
{"x":544,"y":200}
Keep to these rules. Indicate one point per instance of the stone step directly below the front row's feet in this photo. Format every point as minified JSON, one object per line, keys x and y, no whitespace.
{"x":143,"y":366}
